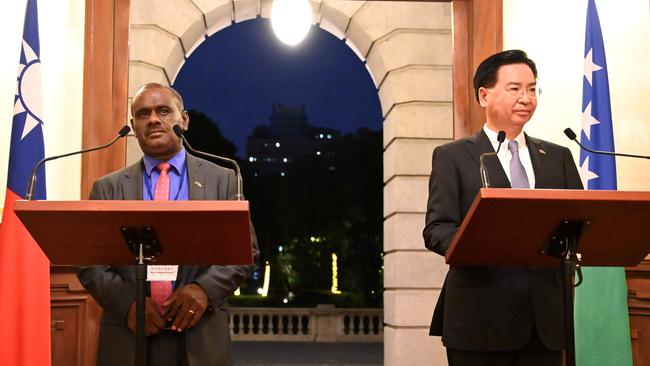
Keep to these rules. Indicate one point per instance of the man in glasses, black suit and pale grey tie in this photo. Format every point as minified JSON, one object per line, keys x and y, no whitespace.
{"x":497,"y":315}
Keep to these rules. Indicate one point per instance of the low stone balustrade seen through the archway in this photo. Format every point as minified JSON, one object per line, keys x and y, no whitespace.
{"x":324,"y":323}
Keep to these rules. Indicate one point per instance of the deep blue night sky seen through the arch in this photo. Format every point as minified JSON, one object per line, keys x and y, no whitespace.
{"x":235,"y":77}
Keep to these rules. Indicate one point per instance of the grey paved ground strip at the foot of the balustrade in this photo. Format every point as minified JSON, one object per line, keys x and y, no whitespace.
{"x":307,"y":354}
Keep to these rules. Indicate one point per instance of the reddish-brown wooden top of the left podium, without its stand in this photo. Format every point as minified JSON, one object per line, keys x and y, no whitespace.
{"x":89,"y":232}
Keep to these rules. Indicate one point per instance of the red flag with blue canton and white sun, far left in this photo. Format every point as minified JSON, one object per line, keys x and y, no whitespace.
{"x":24,"y":269}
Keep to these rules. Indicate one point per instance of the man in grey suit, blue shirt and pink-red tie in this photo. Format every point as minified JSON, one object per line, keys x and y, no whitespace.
{"x":190,"y":325}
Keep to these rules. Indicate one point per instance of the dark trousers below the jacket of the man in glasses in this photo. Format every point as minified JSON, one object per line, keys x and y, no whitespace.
{"x":534,"y":353}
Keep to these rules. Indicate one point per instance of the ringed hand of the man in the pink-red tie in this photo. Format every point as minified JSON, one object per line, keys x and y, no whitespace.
{"x":185,"y":306}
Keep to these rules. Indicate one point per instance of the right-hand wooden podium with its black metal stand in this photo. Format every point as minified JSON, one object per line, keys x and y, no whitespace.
{"x":513,"y":227}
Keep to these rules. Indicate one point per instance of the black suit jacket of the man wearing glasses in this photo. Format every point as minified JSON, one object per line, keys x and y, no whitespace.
{"x":490,"y":308}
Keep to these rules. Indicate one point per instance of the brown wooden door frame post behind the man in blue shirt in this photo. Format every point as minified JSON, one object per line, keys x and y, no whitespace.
{"x":105,"y":87}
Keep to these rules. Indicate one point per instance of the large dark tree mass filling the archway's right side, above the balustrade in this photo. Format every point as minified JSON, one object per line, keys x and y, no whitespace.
{"x":329,"y":203}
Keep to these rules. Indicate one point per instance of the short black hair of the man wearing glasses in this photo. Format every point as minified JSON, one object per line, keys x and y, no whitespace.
{"x":486,"y":73}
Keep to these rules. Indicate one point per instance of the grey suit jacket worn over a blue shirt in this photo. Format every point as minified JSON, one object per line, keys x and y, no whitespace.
{"x":114,"y":287}
